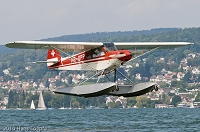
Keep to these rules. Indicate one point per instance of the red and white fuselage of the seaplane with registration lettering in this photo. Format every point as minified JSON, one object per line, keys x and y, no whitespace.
{"x":86,"y":61}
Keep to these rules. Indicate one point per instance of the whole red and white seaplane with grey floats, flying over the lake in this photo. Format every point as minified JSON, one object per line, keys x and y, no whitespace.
{"x":95,"y":56}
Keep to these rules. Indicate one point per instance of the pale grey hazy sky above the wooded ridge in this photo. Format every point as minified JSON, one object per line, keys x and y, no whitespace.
{"x":40,"y":19}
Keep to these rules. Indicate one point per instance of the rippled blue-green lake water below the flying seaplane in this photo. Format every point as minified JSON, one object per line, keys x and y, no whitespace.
{"x":137,"y":120}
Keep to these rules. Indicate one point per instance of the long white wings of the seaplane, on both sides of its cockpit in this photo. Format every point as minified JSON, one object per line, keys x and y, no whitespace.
{"x":84,"y":46}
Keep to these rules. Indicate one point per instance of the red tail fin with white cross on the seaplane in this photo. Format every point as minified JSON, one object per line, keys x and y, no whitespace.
{"x":53,"y":56}
